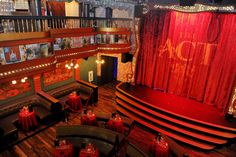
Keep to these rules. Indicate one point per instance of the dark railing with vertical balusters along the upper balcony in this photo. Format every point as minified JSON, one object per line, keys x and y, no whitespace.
{"x":44,"y":23}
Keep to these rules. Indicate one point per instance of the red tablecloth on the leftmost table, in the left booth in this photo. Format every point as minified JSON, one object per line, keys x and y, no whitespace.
{"x":27,"y":119}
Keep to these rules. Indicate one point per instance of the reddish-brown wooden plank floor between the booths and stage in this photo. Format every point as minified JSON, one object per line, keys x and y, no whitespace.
{"x":42,"y":144}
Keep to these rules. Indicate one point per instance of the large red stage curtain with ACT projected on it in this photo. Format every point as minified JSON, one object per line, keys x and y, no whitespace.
{"x":189,"y":54}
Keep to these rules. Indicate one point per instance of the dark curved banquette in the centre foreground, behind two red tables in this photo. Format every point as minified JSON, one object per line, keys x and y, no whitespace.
{"x":108,"y":142}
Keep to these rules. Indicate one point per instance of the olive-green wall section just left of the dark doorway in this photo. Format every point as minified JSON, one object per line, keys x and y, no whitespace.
{"x":87,"y":65}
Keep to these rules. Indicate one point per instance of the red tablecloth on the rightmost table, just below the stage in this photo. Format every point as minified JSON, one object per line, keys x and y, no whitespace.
{"x":159,"y":149}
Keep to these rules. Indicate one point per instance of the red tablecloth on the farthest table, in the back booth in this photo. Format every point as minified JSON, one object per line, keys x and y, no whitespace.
{"x":74,"y":102}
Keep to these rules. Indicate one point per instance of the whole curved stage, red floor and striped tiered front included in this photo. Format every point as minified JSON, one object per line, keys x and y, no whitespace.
{"x":162,"y":112}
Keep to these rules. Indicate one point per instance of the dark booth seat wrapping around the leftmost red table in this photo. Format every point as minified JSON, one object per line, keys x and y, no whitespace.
{"x":9,"y":114}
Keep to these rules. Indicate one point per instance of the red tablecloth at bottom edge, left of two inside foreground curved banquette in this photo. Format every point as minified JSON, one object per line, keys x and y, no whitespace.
{"x":63,"y":151}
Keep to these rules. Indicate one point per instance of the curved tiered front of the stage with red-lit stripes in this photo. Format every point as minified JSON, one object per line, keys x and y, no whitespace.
{"x":189,"y":131}
